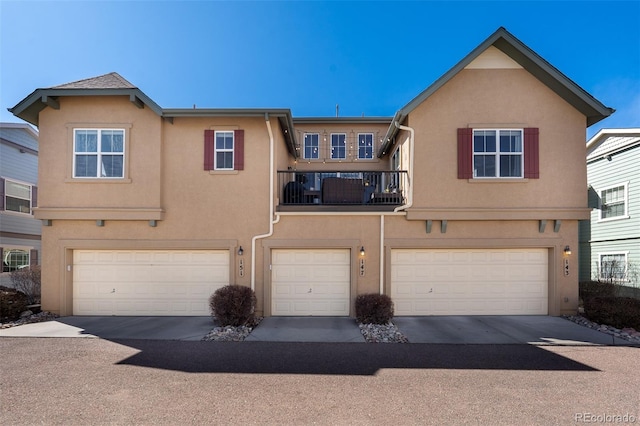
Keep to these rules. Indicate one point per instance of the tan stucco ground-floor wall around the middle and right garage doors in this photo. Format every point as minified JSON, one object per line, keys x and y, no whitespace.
{"x":355,"y":231}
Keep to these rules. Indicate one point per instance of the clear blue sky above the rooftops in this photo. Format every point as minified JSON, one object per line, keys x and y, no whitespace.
{"x":370,"y":57}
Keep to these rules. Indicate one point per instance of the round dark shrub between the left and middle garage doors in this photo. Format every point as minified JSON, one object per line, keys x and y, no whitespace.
{"x":233,"y":305}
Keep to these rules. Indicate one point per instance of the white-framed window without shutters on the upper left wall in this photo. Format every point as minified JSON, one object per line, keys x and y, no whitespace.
{"x":98,"y":153}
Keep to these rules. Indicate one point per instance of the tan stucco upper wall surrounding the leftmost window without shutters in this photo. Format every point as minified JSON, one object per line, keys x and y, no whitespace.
{"x":141,"y":186}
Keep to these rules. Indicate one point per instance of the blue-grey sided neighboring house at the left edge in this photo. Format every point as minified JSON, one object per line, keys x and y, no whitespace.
{"x":19,"y":231}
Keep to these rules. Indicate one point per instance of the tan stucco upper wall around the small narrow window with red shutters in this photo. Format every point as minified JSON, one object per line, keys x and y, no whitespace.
{"x":222,"y":203}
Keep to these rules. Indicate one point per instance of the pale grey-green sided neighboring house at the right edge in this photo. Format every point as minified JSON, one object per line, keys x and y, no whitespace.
{"x":610,"y":241}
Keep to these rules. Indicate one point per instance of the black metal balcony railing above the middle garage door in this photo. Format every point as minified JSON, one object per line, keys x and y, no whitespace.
{"x":341,"y":188}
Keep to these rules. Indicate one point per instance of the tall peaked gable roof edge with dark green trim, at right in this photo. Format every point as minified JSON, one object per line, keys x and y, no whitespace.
{"x":526,"y":58}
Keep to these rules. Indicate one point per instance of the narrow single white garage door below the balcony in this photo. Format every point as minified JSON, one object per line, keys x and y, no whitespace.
{"x":310,"y":282}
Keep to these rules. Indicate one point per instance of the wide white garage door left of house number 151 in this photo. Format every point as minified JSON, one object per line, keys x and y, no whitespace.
{"x":147,"y":282}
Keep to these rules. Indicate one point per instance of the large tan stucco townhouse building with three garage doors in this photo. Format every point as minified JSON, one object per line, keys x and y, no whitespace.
{"x":462,"y":203}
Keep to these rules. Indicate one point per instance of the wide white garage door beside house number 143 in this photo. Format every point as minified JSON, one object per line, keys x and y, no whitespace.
{"x":469,"y":282}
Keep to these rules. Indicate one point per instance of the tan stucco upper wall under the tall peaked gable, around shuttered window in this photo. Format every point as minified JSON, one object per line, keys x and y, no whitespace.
{"x":480,"y":98}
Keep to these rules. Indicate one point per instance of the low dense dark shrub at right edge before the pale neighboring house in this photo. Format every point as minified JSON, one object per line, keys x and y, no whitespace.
{"x":619,"y":312}
